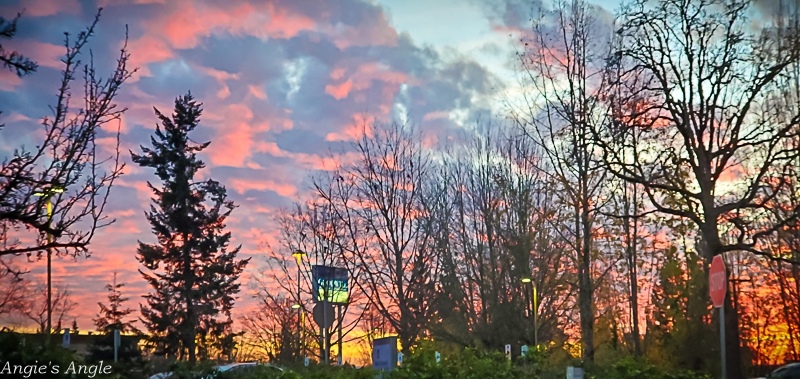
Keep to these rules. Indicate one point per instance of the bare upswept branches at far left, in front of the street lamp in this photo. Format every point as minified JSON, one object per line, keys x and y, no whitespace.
{"x":65,"y":168}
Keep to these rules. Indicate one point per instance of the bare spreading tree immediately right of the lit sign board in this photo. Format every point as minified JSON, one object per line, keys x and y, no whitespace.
{"x":379,"y":200}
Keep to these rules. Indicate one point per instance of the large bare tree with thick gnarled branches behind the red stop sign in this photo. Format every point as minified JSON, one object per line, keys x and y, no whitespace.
{"x":713,"y":119}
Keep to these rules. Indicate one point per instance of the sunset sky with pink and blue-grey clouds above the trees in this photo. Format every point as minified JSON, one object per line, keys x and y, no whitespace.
{"x":284,"y":85}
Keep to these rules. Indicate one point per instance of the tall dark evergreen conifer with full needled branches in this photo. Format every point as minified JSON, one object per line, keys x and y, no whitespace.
{"x":193,"y":274}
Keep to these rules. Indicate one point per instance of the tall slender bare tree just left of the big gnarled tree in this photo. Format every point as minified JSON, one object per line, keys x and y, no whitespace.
{"x":562,"y":67}
